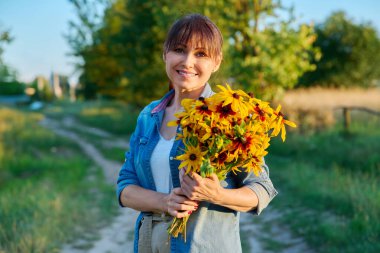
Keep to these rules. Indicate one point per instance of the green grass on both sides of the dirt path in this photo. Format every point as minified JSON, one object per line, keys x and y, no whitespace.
{"x":327,"y":180}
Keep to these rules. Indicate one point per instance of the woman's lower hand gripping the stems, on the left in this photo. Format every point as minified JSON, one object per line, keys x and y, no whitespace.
{"x":178,"y":205}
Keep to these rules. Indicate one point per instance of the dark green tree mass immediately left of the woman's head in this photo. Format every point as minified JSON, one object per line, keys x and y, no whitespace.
{"x":124,"y":57}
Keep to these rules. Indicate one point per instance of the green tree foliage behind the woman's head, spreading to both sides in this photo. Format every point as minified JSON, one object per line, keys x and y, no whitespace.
{"x":122,"y":54}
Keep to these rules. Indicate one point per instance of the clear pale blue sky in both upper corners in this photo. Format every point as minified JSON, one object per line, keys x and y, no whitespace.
{"x":38,"y":26}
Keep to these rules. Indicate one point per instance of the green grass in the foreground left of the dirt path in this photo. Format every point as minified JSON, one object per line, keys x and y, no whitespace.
{"x":46,"y":197}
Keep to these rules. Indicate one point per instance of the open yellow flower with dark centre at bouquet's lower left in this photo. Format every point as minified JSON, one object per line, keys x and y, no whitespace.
{"x":192,"y":158}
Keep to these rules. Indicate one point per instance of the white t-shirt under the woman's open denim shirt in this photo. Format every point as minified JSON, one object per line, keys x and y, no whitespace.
{"x":159,"y":162}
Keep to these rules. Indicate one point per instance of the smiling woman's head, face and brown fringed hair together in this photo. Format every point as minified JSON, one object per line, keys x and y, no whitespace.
{"x":192,"y":53}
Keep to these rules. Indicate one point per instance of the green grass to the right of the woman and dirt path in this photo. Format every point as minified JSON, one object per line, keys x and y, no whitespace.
{"x":328,"y":183}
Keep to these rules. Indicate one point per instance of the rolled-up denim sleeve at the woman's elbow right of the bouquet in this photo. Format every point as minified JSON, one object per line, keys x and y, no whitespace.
{"x":261,"y":185}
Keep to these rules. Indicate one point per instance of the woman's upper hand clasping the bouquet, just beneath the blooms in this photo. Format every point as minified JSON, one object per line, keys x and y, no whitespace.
{"x":198,"y":188}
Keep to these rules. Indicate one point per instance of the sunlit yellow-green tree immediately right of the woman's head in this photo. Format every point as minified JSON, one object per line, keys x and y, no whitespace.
{"x":267,"y":53}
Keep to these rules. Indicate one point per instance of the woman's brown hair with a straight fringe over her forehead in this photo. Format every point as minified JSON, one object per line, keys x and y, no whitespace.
{"x":197,"y":30}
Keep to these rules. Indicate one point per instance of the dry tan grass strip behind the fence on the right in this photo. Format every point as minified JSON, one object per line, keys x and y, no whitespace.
{"x":319,"y":108}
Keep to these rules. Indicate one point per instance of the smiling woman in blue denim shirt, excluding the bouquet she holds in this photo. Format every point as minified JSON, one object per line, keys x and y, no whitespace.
{"x":149,"y":180}
